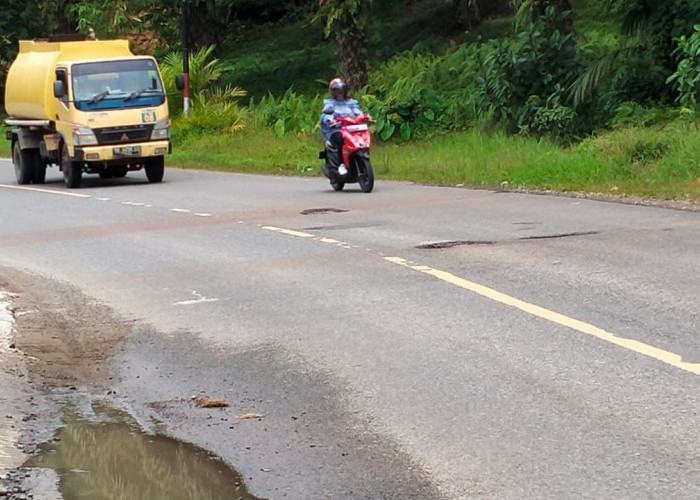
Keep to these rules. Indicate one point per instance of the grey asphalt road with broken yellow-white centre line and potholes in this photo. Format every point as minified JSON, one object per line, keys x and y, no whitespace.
{"x":415,"y":342}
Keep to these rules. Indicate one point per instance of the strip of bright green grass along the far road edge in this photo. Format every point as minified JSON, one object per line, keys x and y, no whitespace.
{"x":657,"y":162}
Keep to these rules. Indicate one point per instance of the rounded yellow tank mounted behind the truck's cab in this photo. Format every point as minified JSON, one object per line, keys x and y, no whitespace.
{"x":29,"y":83}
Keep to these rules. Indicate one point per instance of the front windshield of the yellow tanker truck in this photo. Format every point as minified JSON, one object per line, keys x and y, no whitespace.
{"x":116,"y":84}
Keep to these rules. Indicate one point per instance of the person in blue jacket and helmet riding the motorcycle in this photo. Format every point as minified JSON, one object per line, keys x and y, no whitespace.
{"x":338,"y":105}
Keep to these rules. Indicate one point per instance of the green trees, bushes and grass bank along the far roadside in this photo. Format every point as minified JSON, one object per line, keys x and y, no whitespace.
{"x":598,"y":96}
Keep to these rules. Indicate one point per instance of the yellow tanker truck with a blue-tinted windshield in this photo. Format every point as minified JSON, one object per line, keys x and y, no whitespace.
{"x":88,"y":107}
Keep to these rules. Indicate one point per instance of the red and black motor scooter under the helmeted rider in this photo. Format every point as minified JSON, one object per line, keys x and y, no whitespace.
{"x":354,"y":157}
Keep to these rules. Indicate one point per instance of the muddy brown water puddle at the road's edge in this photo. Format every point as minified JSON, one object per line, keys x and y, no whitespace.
{"x":108,"y":457}
